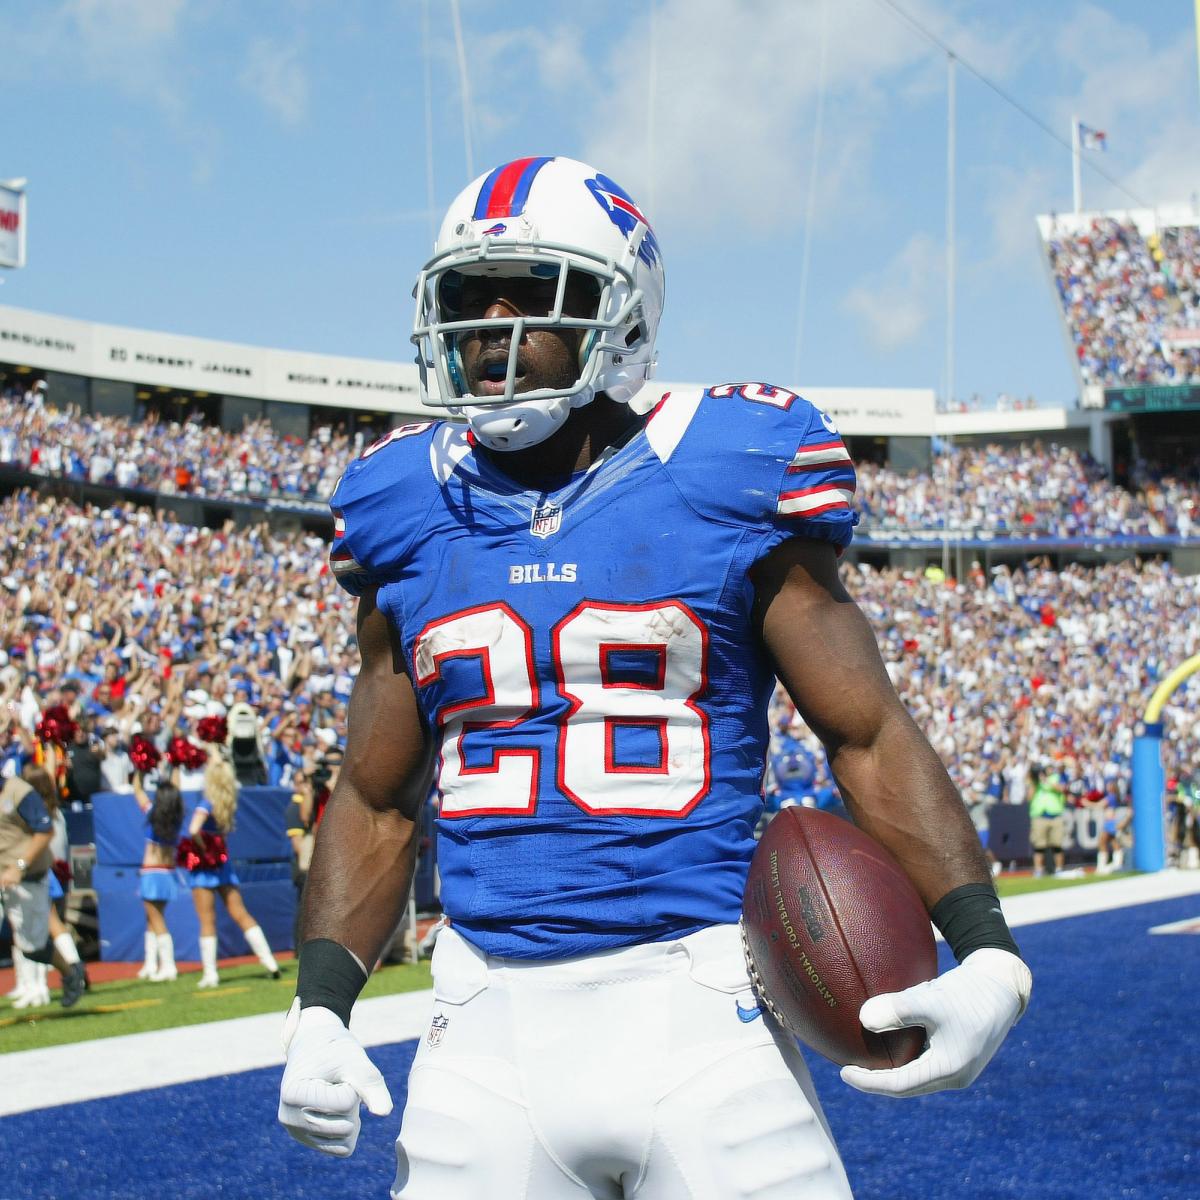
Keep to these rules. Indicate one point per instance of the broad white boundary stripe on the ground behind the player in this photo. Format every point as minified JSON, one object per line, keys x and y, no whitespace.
{"x":92,"y":1071}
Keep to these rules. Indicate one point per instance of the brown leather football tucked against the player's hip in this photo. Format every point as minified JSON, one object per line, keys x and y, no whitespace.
{"x":829,"y":921}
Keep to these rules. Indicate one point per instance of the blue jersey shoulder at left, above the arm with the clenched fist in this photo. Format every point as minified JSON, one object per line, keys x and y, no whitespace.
{"x":380,"y":506}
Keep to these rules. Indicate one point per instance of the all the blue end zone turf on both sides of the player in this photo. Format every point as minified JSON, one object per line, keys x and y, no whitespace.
{"x":1095,"y":1096}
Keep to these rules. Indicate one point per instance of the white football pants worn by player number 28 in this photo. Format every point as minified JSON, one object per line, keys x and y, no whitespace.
{"x":633,"y":1073}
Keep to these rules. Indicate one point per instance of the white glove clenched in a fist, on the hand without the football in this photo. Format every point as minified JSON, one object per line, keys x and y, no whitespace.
{"x":327,"y":1077}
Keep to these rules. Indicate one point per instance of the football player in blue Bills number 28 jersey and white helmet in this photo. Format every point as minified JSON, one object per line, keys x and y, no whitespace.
{"x":574,"y":611}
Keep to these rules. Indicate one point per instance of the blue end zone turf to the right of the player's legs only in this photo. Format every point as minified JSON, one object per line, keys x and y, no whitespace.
{"x":1093,"y":1097}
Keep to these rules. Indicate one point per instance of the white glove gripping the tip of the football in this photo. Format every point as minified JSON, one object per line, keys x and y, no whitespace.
{"x":968,"y":1013}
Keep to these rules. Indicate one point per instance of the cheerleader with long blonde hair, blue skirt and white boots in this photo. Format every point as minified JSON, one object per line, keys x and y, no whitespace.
{"x":205,"y":853}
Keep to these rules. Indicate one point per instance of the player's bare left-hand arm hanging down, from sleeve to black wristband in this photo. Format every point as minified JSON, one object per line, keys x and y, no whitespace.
{"x":364,"y":860}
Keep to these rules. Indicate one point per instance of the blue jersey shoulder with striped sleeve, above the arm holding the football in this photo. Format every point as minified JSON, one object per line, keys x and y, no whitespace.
{"x":759,"y":457}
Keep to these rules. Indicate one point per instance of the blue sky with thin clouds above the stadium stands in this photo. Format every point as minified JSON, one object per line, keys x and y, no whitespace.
{"x":259,"y":173}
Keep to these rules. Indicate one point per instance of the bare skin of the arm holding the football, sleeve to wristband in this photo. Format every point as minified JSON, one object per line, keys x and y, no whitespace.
{"x":890,"y":776}
